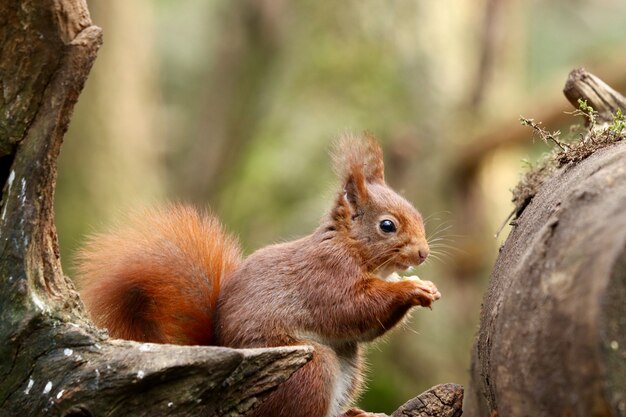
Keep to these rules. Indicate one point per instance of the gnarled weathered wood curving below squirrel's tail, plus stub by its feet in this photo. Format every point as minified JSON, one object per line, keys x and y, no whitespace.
{"x":54,"y":361}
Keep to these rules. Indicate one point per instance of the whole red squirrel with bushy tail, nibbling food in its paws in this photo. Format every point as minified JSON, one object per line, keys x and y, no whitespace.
{"x":174,"y":276}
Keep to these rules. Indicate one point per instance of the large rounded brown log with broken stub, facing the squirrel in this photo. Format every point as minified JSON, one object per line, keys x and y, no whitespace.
{"x":552,"y":338}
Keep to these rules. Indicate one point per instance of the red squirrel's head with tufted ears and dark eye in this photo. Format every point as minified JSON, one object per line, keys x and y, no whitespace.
{"x":386,"y":230}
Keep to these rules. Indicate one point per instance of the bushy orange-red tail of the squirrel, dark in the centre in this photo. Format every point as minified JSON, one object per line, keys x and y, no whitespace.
{"x":157,"y":279}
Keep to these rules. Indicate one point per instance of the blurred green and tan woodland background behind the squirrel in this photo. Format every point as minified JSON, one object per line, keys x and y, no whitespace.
{"x":233,"y":105}
